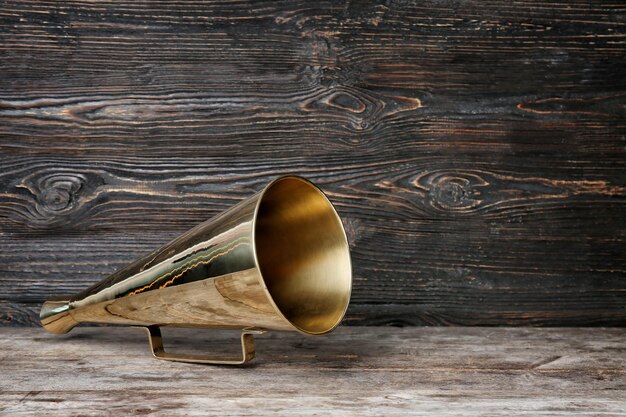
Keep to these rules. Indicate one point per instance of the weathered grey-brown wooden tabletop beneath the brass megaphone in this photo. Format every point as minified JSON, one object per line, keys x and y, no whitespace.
{"x":360,"y":371}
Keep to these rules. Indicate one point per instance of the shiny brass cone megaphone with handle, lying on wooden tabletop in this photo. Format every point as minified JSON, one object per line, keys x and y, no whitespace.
{"x":278,"y":260}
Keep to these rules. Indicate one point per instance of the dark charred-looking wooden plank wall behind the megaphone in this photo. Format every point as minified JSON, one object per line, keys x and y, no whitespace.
{"x":476,"y":150}
